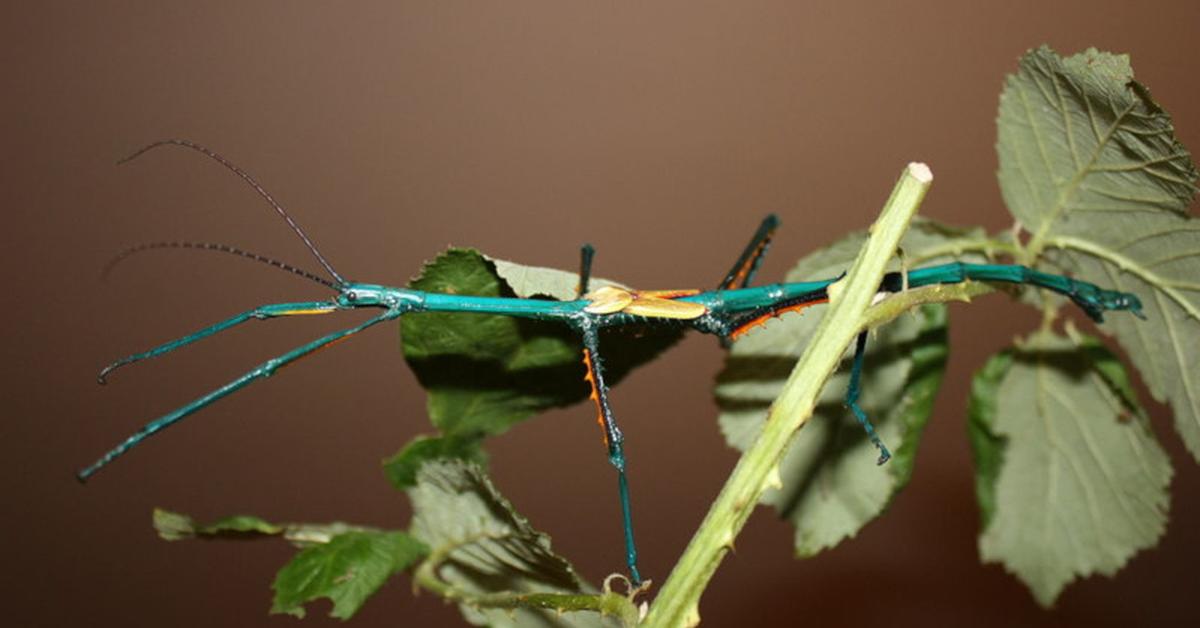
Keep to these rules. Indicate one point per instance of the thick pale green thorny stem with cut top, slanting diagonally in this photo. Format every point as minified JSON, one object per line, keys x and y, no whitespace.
{"x":679,"y":603}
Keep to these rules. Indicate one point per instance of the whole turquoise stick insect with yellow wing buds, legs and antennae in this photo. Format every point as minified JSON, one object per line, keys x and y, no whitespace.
{"x":729,"y":312}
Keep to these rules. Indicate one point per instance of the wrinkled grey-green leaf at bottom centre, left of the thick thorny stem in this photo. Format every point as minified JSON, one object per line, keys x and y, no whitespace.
{"x":484,"y":547}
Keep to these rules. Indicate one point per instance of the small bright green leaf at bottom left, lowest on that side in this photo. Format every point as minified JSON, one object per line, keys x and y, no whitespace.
{"x":349,"y":570}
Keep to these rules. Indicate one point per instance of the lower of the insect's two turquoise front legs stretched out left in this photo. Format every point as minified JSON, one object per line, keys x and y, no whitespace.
{"x":265,"y":370}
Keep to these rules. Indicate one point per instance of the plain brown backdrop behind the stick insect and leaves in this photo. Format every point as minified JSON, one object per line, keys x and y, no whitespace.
{"x":659,"y":133}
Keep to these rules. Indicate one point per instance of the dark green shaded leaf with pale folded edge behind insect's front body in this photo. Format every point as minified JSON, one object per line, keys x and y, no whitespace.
{"x":487,"y":373}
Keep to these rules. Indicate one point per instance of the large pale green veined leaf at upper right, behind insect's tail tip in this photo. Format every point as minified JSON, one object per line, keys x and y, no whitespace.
{"x":1090,"y":165}
